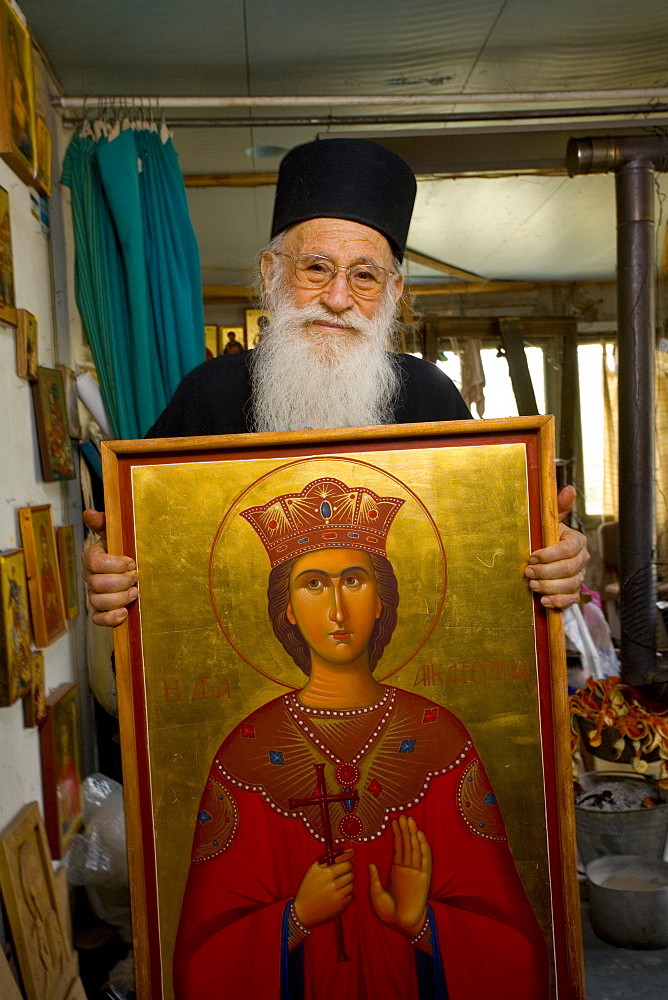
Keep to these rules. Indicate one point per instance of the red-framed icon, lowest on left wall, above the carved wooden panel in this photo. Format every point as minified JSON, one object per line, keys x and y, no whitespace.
{"x":61,"y":768}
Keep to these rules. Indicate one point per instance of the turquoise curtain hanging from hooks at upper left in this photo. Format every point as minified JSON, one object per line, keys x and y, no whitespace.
{"x":137,"y":271}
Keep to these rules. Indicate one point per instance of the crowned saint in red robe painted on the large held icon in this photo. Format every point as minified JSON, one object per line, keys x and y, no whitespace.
{"x":423,"y":883}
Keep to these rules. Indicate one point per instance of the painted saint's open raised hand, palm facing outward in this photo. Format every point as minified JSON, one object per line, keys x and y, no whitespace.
{"x":403,"y":905}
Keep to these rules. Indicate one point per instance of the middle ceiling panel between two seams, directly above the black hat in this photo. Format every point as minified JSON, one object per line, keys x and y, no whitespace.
{"x":377,"y":47}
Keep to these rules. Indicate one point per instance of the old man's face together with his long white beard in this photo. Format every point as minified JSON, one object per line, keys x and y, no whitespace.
{"x":346,"y":375}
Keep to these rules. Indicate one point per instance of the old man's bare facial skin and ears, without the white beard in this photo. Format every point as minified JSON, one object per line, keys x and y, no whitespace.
{"x":345,"y":243}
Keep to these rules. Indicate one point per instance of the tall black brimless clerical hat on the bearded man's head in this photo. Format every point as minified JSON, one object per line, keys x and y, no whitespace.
{"x":346,"y":179}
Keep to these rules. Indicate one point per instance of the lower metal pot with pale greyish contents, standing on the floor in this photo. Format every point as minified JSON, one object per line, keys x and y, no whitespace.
{"x":628,"y":900}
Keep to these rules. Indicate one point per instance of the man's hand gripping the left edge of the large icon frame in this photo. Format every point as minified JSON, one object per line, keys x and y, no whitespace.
{"x":110,"y":579}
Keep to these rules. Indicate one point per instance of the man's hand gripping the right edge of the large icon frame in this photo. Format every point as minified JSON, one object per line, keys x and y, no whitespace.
{"x":558,"y":571}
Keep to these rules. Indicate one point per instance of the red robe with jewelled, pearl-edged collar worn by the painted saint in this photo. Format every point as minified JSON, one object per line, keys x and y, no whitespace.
{"x":251,"y":852}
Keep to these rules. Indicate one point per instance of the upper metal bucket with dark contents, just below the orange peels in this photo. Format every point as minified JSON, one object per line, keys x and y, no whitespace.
{"x":635,"y":831}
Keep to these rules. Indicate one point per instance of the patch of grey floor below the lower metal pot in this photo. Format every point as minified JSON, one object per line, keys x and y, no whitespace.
{"x":622,"y":973}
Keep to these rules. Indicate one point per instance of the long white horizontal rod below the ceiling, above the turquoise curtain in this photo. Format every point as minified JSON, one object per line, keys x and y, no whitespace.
{"x":331,"y":100}
